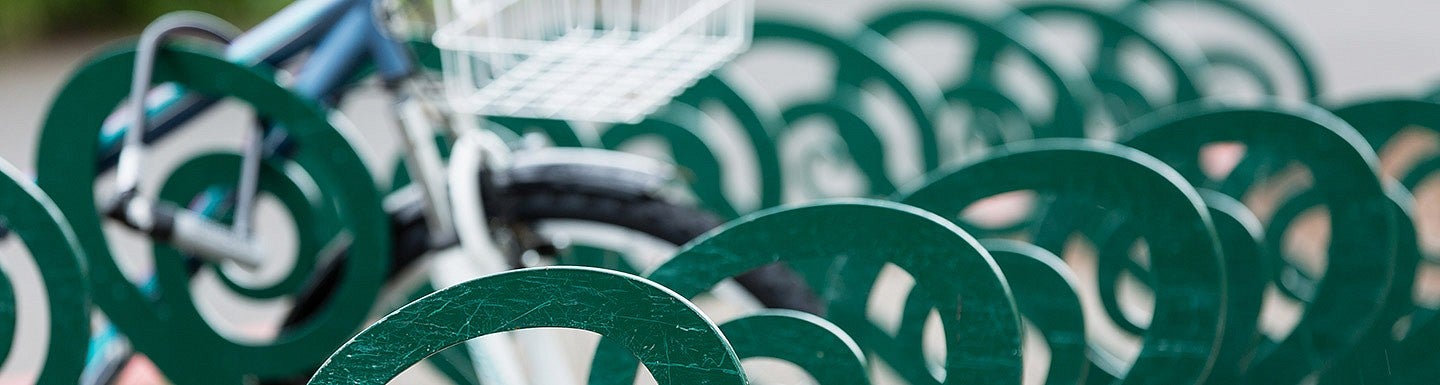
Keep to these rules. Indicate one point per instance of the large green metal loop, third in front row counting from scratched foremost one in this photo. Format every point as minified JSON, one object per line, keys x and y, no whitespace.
{"x":1189,"y":275}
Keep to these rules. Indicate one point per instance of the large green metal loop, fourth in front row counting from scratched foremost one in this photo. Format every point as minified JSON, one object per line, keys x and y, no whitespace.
{"x":1363,"y":246}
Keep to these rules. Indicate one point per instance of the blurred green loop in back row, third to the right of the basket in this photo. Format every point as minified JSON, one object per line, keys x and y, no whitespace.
{"x":1125,"y":100}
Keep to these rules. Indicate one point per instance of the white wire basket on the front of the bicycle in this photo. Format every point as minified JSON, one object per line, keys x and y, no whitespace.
{"x":606,"y":61}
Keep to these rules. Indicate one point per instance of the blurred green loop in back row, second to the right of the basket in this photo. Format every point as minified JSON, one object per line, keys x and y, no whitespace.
{"x":981,"y":89}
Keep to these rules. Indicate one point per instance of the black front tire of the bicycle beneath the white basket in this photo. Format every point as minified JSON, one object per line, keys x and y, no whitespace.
{"x":582,"y":191}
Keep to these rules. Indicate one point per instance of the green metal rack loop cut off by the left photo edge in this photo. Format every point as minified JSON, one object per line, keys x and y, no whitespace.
{"x":44,"y":231}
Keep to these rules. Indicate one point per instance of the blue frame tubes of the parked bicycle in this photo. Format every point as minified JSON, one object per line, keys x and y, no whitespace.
{"x":342,"y":32}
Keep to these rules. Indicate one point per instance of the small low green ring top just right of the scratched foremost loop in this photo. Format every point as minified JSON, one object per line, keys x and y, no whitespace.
{"x":813,"y":344}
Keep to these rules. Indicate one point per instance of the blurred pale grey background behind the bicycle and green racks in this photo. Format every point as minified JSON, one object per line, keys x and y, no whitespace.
{"x":1360,"y":48}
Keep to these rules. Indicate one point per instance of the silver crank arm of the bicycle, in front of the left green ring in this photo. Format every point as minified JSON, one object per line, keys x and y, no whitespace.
{"x":188,"y":231}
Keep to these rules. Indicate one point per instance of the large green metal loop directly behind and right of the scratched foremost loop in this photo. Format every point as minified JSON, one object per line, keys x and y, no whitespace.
{"x":980,"y":321}
